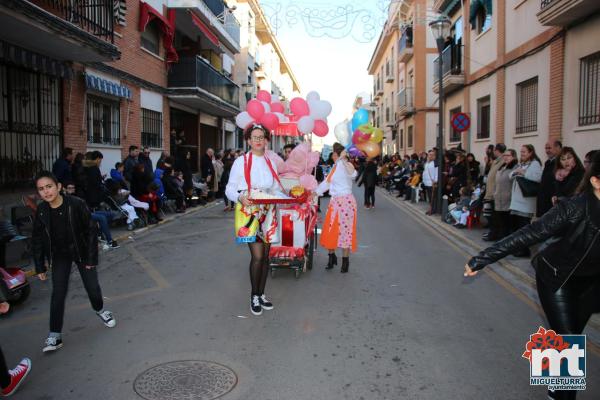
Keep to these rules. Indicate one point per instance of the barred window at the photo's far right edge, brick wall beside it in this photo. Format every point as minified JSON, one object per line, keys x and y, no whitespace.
{"x":589,"y":90}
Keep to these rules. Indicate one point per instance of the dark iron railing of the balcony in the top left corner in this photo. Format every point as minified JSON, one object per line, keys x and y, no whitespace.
{"x":93,"y":16}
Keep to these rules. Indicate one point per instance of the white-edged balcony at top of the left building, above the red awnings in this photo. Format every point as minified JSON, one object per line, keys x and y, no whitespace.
{"x":223,"y":25}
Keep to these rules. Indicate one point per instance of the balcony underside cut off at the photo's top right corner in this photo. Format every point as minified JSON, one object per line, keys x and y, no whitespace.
{"x":565,"y":12}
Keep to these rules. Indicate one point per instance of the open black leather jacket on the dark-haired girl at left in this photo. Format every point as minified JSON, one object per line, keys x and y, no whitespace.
{"x":82,"y":234}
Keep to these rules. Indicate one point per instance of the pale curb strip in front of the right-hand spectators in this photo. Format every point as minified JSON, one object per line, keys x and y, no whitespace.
{"x":521,"y":281}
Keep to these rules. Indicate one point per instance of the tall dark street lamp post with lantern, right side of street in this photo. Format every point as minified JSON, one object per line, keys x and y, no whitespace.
{"x":440,"y":28}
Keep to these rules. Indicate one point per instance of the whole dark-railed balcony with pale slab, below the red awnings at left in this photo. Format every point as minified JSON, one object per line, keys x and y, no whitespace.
{"x":197,"y":84}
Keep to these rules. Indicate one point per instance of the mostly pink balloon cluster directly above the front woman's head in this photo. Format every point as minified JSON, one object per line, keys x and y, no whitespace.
{"x":266,"y":110}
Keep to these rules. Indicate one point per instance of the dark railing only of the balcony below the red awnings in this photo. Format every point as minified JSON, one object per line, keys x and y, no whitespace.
{"x":195,"y":72}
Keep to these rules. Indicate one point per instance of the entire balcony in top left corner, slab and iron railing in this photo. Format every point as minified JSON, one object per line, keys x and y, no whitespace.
{"x":62,"y":29}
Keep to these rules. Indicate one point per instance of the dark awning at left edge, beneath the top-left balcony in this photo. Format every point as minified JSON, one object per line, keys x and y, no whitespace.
{"x":36,"y":62}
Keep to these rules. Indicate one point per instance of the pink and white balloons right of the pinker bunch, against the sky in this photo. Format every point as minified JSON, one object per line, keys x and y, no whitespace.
{"x":312,"y":113}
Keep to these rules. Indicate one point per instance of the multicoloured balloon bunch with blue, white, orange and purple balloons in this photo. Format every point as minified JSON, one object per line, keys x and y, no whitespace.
{"x":364,"y":139}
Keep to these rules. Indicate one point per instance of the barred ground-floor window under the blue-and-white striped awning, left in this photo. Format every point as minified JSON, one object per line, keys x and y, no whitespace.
{"x":103,"y":121}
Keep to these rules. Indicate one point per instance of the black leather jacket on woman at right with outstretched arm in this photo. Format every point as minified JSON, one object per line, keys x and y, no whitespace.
{"x":571,"y":232}
